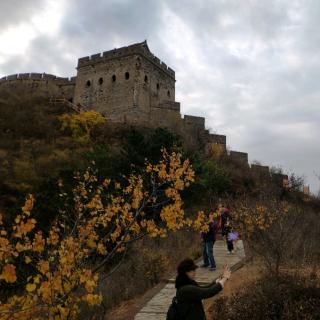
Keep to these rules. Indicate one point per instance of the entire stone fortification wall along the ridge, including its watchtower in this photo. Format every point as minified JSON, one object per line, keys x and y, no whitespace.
{"x":131,"y":86}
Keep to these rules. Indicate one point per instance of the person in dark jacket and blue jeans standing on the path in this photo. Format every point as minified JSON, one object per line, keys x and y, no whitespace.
{"x":208,"y":240}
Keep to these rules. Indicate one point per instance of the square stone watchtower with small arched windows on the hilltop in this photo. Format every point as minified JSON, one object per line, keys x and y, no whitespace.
{"x":126,"y":84}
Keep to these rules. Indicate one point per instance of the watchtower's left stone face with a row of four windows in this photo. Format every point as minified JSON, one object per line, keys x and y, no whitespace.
{"x":108,"y":87}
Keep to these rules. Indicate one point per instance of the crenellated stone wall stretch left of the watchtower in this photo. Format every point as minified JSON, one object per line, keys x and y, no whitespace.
{"x":38,"y":85}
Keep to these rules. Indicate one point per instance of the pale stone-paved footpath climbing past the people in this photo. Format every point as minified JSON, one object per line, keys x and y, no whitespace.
{"x":157,"y":307}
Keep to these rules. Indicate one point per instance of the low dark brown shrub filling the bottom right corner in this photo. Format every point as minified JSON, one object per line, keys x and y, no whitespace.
{"x":287,"y":297}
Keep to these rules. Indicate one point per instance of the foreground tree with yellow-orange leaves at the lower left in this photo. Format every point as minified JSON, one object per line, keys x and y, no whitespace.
{"x":62,"y":267}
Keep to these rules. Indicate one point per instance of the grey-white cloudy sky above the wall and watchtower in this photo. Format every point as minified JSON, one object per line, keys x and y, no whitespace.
{"x":251,"y":67}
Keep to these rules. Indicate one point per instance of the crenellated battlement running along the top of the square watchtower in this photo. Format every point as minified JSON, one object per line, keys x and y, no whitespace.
{"x":137,"y":48}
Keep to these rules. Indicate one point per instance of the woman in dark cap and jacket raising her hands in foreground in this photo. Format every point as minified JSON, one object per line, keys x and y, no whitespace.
{"x":190,"y":294}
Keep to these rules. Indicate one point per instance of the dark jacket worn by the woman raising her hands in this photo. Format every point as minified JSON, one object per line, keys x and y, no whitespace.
{"x":190,"y":299}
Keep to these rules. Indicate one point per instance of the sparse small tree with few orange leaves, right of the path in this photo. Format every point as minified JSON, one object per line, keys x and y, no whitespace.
{"x":270,"y":229}
